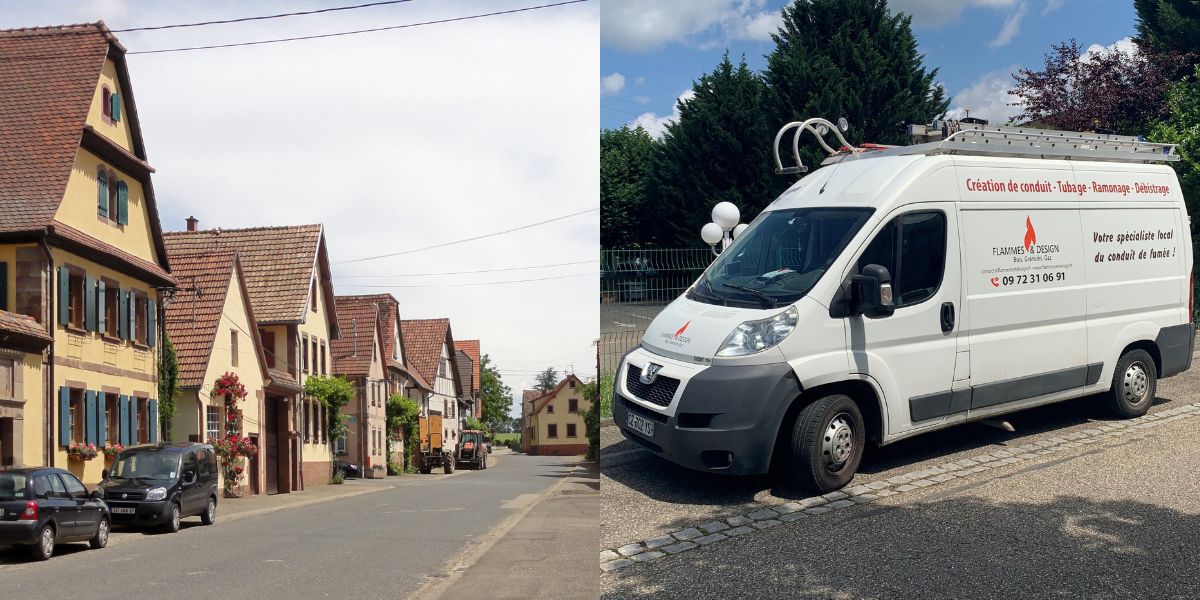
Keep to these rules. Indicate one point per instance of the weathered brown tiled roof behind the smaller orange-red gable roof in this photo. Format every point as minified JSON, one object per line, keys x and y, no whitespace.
{"x":278,"y":261}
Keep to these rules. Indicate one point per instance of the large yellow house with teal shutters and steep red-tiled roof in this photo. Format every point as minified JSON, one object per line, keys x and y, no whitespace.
{"x":82,"y":247}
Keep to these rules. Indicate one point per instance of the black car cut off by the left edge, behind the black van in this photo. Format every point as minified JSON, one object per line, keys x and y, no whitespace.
{"x":41,"y":507}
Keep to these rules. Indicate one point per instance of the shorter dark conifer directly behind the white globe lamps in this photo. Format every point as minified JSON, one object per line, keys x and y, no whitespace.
{"x":719,"y":151}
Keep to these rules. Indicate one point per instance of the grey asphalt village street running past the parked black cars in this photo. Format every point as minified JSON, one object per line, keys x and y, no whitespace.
{"x":376,"y":545}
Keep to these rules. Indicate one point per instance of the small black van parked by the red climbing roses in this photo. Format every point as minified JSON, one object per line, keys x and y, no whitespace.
{"x":160,"y":484}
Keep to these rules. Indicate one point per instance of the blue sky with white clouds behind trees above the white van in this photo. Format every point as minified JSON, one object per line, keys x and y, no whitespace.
{"x":652,"y":51}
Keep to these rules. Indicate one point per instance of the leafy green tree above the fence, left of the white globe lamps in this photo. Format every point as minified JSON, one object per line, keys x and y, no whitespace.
{"x":625,"y":161}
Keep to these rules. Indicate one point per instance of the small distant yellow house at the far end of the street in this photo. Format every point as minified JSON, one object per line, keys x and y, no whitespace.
{"x":554,"y":424}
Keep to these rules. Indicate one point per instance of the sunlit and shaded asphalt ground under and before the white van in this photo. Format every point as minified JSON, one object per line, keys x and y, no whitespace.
{"x":1114,"y":517}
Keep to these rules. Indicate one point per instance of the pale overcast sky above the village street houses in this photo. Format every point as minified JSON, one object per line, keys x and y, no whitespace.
{"x":394,"y":141}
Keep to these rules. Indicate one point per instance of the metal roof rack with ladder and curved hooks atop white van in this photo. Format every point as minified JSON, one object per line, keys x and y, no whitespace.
{"x":981,"y":140}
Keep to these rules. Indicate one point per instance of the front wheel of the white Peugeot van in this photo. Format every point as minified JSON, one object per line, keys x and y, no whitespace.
{"x":827,"y":443}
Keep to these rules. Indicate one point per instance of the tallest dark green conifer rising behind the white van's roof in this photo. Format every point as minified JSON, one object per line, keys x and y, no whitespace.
{"x":854,"y":59}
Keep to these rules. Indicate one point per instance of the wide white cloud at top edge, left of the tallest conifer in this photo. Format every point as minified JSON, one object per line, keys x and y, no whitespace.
{"x":645,"y":26}
